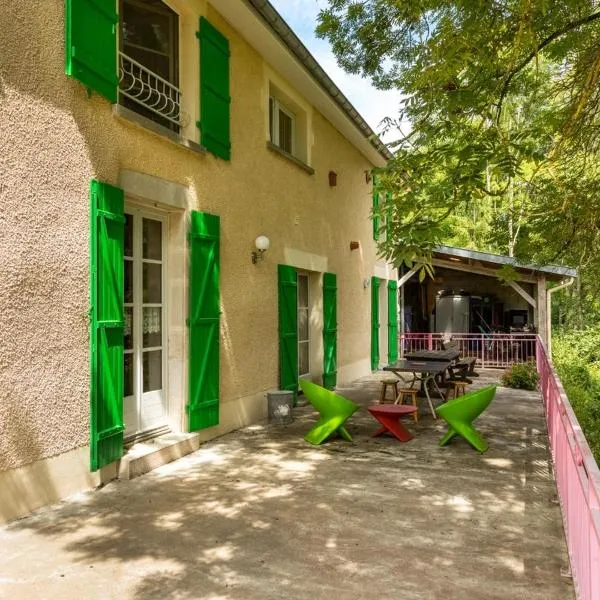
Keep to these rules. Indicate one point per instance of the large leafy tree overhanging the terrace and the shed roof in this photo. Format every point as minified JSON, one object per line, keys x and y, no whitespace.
{"x":504,"y":102}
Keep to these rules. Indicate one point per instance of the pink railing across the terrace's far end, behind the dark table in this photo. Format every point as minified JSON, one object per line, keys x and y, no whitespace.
{"x":491,"y":350}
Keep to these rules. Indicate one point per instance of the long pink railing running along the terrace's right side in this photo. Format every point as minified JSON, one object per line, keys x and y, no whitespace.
{"x":577,"y":480}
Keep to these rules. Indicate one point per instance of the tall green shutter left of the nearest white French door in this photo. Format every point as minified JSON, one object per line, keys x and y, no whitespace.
{"x":107,"y":324}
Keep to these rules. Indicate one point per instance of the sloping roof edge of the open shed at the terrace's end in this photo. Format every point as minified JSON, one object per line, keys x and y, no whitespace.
{"x":486,"y":263}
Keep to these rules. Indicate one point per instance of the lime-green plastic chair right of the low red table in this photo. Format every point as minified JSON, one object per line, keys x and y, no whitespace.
{"x":460,"y":414}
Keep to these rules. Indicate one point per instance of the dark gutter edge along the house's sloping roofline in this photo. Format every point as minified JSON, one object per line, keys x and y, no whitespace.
{"x":284,"y":32}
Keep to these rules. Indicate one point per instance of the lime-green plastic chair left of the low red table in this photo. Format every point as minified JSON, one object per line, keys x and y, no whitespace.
{"x":335,"y":410}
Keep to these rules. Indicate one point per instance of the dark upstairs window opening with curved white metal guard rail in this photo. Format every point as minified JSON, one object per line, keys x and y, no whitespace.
{"x":149,"y":61}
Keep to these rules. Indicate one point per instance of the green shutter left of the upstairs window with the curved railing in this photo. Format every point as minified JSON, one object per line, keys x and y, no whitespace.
{"x":91,"y":44}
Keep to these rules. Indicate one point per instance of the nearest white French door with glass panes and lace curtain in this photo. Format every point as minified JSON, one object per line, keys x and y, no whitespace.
{"x":144,"y":402}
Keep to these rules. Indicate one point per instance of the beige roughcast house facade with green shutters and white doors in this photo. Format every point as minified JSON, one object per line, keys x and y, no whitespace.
{"x":150,"y":151}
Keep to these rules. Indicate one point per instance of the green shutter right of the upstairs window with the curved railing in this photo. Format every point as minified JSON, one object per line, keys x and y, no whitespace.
{"x":215,"y":100}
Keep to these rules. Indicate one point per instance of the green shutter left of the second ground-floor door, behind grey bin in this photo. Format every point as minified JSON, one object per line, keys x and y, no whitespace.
{"x":288,"y":328}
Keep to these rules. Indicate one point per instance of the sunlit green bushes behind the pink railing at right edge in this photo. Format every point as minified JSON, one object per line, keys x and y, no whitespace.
{"x":576,"y":356}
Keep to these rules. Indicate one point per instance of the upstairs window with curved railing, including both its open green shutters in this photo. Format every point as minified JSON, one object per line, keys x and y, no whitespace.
{"x":133,"y":57}
